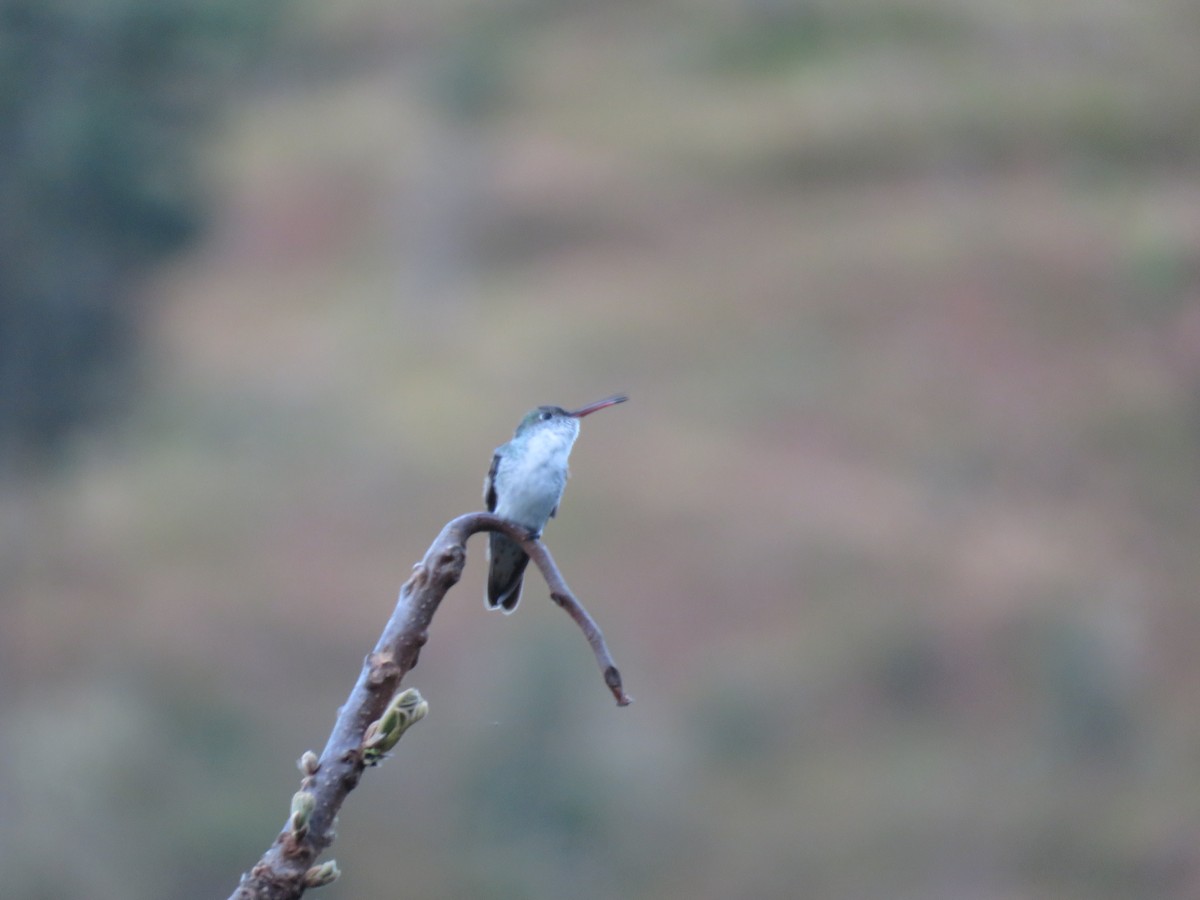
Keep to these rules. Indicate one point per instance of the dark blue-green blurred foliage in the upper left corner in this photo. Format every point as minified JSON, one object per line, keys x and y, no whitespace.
{"x":103,"y":112}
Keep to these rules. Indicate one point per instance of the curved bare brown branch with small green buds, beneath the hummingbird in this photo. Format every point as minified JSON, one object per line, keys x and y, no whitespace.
{"x":287,"y":869}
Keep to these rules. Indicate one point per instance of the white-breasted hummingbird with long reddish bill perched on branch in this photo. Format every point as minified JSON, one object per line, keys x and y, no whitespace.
{"x":525,"y":485}
